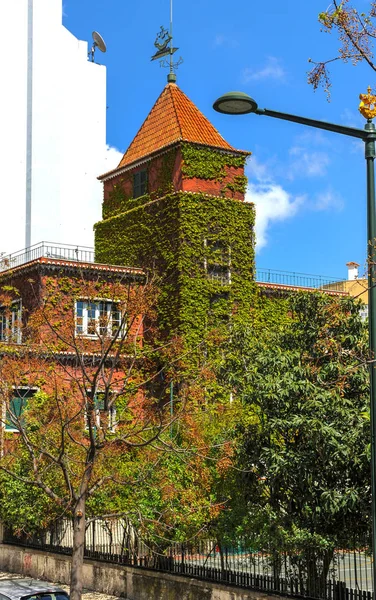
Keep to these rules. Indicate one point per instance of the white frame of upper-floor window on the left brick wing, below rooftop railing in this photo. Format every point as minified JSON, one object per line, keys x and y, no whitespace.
{"x":96,"y":305}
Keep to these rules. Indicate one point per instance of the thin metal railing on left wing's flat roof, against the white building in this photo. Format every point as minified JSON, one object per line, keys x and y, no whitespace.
{"x":48,"y":250}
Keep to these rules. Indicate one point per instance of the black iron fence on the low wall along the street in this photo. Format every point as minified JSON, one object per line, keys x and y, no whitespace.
{"x":340,"y":573}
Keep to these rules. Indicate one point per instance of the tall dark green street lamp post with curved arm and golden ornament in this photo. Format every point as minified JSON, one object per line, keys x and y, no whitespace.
{"x":239,"y":103}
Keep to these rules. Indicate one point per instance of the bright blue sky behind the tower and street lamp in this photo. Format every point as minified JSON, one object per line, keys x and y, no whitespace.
{"x":309,"y":185}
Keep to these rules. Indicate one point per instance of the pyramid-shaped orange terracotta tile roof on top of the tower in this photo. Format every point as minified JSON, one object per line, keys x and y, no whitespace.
{"x":173,"y":118}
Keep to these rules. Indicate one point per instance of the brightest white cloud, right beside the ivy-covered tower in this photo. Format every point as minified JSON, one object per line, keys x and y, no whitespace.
{"x":273,"y":203}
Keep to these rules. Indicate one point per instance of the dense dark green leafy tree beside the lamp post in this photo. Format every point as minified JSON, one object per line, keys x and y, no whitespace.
{"x":305,"y":454}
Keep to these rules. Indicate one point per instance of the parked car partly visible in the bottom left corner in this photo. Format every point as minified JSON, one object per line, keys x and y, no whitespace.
{"x":30,"y":589}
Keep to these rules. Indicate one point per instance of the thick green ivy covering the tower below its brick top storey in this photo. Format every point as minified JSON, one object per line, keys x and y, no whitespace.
{"x":170,"y":235}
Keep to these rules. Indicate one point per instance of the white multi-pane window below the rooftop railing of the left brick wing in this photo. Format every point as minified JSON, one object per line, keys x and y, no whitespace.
{"x":97,"y":318}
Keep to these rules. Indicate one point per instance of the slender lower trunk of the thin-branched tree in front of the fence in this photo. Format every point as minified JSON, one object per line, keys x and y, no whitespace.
{"x":78,"y":550}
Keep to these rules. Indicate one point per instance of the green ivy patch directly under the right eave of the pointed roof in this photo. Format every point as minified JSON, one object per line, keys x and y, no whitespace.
{"x":206,"y":163}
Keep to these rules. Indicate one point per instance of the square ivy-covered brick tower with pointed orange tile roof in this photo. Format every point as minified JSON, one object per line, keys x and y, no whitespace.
{"x":175,"y":206}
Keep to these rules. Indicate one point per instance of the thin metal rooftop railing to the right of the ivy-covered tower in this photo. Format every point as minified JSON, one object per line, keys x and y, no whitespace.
{"x":303,"y":280}
